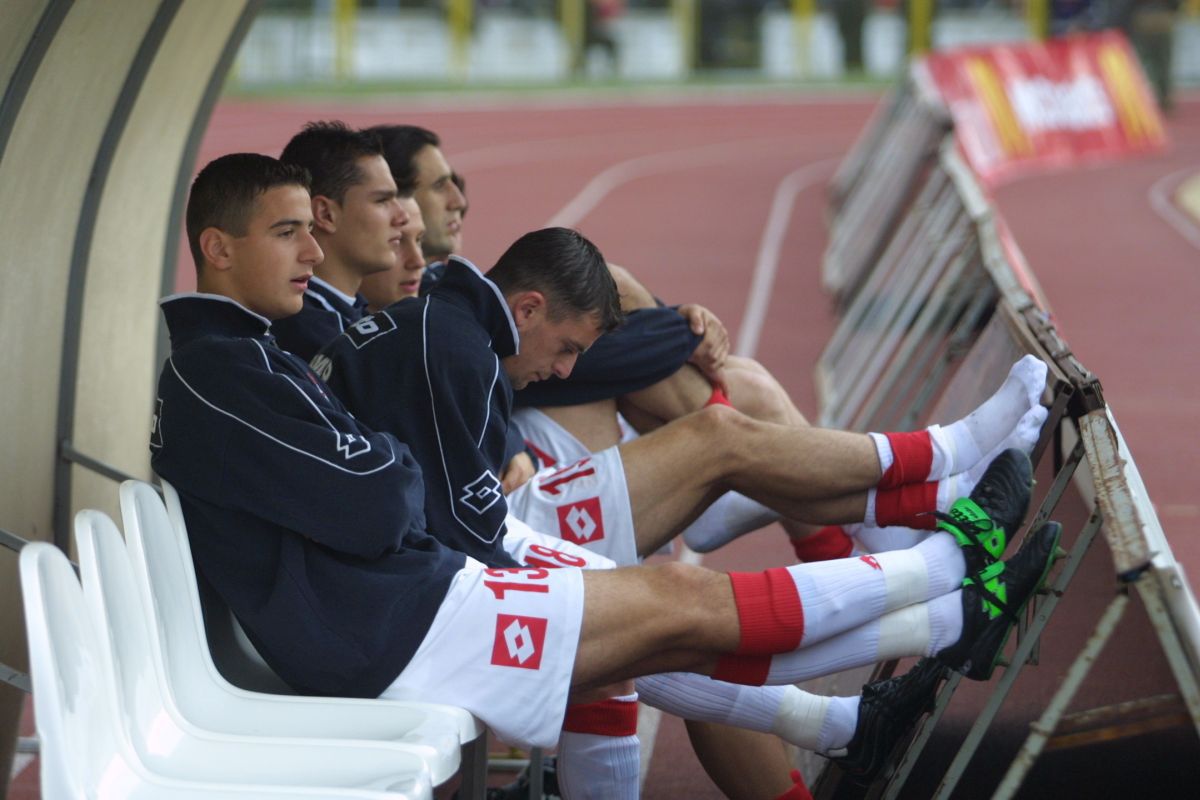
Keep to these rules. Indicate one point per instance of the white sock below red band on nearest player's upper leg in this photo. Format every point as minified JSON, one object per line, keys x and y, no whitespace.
{"x":843,"y":594}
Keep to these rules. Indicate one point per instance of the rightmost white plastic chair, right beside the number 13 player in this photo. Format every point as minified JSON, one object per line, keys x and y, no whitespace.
{"x":157,"y":539}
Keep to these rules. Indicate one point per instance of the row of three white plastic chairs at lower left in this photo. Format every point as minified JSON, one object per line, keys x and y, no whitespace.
{"x":129,"y":702}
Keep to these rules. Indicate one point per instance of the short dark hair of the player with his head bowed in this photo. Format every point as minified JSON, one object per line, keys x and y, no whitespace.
{"x":567,"y":268}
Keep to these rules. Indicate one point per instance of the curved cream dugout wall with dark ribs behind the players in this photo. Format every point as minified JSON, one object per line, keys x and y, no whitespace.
{"x":104,"y":106}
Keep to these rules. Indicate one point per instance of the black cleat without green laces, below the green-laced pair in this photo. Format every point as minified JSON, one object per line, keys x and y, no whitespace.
{"x":887,"y":714}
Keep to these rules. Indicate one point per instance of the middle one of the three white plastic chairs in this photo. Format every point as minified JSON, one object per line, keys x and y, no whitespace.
{"x":170,"y":745}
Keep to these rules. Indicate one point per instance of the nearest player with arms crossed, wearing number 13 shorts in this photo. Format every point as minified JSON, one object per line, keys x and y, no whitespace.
{"x":311,"y":526}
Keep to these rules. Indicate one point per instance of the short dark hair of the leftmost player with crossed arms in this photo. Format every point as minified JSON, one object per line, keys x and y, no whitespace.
{"x":225,"y":193}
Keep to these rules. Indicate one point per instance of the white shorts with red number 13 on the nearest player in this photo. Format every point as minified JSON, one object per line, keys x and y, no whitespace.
{"x":503,"y":647}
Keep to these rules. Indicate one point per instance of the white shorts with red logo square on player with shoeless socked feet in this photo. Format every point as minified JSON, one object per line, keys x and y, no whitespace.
{"x":585,"y":503}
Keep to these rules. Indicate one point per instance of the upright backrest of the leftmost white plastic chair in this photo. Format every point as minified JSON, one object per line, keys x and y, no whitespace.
{"x":74,"y":709}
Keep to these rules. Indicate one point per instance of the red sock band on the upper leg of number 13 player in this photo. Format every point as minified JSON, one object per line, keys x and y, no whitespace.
{"x":770,"y":612}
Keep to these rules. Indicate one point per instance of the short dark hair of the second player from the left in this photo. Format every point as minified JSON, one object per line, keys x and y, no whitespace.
{"x":331,"y":153}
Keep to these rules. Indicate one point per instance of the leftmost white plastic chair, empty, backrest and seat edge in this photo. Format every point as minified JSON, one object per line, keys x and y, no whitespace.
{"x":83,"y":749}
